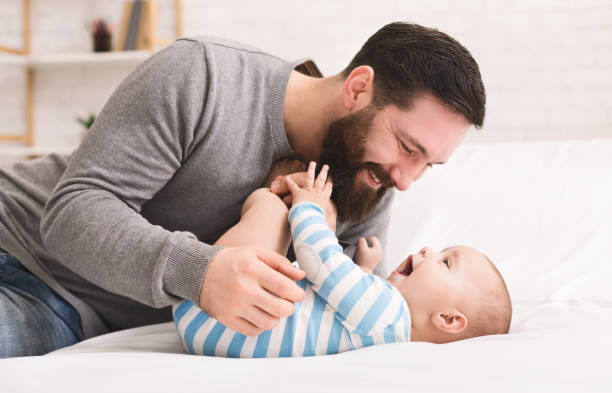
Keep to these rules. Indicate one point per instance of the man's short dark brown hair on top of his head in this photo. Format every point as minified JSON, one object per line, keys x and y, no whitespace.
{"x":410,"y":60}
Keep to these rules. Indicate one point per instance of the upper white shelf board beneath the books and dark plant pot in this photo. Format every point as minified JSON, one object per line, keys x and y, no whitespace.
{"x":76,"y":58}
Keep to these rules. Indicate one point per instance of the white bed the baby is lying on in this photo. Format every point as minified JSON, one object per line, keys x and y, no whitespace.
{"x":542,"y":211}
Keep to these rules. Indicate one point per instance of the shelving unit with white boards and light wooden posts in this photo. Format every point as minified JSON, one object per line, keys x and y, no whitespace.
{"x":24,"y":144}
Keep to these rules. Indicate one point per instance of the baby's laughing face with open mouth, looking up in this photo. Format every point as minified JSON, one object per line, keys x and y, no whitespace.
{"x":431,"y":281}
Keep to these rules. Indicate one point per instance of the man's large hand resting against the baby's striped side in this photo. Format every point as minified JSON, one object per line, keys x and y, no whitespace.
{"x":240,"y":287}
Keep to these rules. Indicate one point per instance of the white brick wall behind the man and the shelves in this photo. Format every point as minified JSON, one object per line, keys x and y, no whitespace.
{"x":546,"y":64}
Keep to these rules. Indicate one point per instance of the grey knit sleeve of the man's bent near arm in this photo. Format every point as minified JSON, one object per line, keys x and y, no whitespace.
{"x":141,"y":138}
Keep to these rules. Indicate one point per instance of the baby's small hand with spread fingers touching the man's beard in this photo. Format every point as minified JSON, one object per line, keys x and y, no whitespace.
{"x":316,"y":191}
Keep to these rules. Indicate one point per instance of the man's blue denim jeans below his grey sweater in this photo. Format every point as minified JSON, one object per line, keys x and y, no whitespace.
{"x":34,"y":320}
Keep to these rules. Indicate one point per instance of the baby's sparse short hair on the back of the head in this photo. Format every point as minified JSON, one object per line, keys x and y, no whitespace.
{"x":493,"y":312}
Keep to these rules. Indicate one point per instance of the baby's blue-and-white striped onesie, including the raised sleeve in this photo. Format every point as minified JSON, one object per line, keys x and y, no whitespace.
{"x":344,"y":308}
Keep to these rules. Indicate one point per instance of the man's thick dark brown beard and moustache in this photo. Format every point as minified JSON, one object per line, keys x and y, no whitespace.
{"x":343,"y":150}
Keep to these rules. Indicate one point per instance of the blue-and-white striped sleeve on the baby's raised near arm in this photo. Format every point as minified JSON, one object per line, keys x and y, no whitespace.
{"x":364,"y":303}
